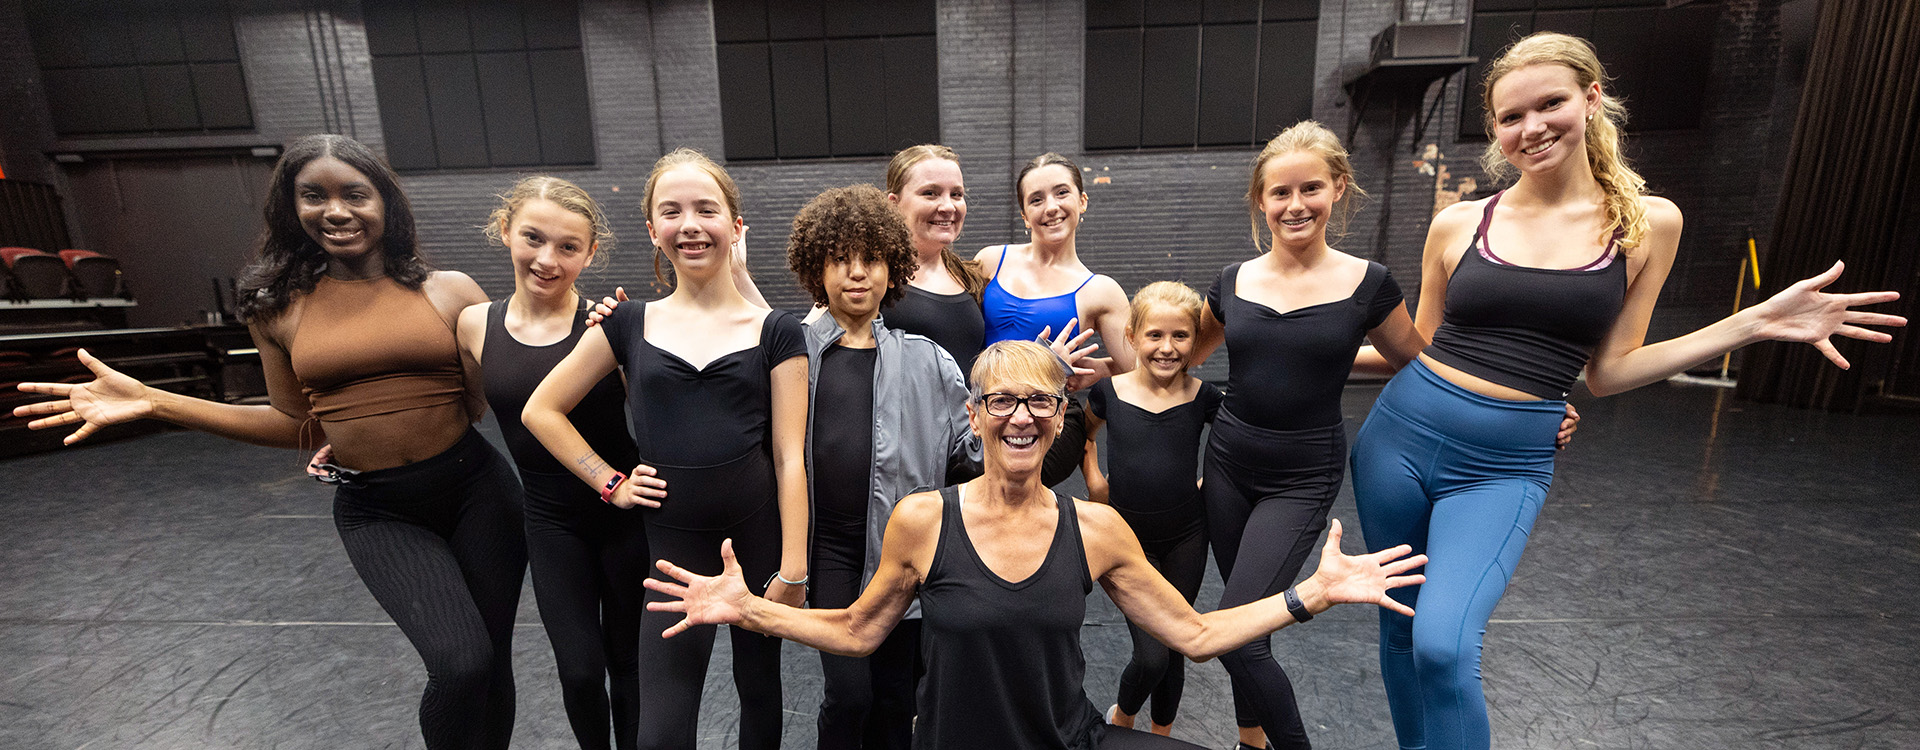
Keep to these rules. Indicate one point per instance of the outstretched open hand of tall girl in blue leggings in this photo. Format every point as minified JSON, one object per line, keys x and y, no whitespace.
{"x":1804,"y":314}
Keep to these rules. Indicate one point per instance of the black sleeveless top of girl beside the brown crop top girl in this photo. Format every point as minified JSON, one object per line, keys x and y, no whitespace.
{"x":514,"y":369}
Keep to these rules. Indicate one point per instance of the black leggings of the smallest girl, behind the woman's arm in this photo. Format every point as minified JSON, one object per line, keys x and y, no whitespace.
{"x":1155,"y":668}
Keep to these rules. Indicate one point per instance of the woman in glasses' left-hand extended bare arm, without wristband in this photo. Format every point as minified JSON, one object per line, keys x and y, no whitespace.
{"x":853,"y":632}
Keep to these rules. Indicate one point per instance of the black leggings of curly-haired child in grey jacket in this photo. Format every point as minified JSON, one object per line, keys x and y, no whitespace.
{"x":869,"y":701}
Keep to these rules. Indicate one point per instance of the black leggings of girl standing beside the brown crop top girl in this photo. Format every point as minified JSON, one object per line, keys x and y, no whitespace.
{"x":588,"y":561}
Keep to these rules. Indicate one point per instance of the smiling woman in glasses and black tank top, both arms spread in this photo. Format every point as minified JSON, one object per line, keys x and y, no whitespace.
{"x":1003,"y":569}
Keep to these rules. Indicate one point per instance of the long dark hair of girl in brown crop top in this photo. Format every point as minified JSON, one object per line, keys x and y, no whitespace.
{"x":289,"y":262}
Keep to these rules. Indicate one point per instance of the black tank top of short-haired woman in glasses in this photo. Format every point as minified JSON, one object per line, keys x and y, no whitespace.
{"x":1005,"y":667}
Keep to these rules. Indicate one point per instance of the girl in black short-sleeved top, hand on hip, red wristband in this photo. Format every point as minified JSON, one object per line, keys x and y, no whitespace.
{"x":719,"y":410}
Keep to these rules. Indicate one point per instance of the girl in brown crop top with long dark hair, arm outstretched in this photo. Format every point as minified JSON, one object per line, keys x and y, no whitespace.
{"x":356,"y":339}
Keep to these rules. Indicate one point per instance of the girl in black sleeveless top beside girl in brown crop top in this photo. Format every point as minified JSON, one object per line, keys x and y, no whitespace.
{"x":588,"y":557}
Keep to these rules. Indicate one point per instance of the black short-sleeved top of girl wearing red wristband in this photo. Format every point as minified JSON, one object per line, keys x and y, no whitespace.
{"x":700,"y":417}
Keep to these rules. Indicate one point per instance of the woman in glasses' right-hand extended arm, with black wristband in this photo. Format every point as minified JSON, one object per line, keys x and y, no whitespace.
{"x":1161,"y":611}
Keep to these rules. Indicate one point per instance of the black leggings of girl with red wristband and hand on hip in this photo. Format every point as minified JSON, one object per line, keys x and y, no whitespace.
{"x":677,"y":668}
